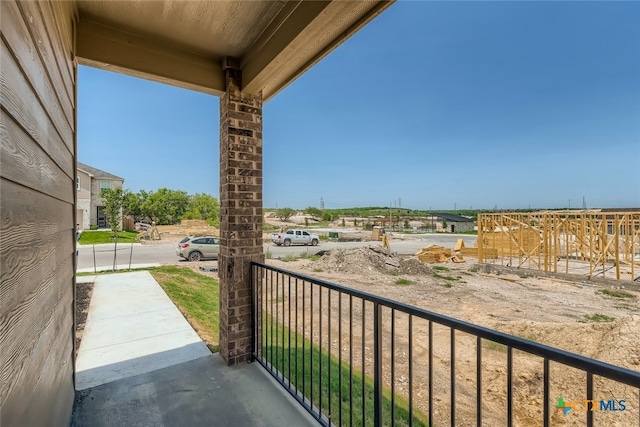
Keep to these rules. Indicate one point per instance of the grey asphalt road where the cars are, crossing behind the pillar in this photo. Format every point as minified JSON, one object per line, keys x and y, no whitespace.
{"x":101,"y":256}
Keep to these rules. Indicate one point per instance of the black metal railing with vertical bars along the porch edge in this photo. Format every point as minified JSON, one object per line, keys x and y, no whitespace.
{"x":353,"y":359}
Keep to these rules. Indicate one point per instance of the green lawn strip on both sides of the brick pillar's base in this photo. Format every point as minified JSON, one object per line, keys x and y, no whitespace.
{"x":197,"y":298}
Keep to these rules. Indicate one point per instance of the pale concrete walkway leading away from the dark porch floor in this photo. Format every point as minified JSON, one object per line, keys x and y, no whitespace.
{"x":132,"y":328}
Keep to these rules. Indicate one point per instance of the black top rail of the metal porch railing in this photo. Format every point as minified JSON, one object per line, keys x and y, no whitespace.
{"x":617,"y":373}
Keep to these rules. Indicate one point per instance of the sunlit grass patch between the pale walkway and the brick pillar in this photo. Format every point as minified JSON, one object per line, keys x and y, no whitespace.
{"x":197,"y":298}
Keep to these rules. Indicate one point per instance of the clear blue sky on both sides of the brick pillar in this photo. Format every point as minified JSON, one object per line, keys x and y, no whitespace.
{"x":433,"y":105}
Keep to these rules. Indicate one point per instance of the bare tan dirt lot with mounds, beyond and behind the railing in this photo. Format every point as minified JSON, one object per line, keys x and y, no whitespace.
{"x":573,"y":316}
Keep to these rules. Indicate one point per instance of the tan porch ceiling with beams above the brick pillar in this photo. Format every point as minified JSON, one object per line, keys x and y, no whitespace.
{"x":189,"y":43}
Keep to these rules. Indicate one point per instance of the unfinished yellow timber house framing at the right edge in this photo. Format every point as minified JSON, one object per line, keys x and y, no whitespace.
{"x":592,"y":244}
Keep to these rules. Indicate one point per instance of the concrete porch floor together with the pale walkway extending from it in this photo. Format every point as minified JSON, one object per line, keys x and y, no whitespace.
{"x":141,"y":364}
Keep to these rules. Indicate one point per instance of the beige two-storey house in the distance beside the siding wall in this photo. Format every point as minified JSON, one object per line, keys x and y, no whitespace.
{"x":89,"y":183}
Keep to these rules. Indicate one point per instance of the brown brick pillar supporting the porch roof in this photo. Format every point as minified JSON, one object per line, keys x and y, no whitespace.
{"x":241,"y":214}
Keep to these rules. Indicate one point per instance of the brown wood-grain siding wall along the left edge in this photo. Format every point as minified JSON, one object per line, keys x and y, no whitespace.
{"x":37,"y":190}
